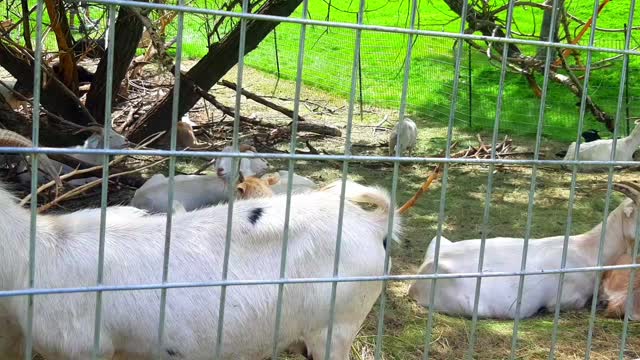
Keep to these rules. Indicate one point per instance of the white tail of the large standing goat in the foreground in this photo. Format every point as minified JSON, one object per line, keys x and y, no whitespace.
{"x":367,"y":197}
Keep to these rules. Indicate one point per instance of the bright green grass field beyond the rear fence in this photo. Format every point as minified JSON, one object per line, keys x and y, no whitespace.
{"x":329,"y":56}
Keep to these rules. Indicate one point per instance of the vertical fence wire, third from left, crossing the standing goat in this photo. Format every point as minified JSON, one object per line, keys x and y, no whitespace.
{"x":171,"y":180}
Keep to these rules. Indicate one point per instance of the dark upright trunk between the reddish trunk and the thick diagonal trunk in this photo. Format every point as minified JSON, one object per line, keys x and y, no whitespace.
{"x":128,"y":30}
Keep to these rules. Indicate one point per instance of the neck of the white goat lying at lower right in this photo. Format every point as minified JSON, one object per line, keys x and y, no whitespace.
{"x":614,"y":242}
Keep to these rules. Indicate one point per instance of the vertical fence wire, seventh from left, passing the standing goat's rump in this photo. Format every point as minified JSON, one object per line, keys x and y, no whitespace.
{"x":394,"y":180}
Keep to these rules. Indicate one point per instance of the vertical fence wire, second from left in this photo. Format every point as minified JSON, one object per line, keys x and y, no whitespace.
{"x":105,"y":179}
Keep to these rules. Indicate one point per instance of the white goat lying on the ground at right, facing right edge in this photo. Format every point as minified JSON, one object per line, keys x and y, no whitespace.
{"x":498,"y":294}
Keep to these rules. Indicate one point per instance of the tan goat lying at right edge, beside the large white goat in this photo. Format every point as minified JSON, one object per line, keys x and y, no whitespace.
{"x":613,"y":292}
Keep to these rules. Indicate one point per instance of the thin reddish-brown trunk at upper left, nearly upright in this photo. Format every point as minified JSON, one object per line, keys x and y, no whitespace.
{"x":68,"y":73}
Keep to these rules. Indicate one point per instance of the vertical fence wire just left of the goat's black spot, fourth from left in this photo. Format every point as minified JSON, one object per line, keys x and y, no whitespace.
{"x":232,"y":181}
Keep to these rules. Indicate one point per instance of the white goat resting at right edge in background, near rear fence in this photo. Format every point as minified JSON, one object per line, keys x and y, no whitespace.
{"x":600,"y":150}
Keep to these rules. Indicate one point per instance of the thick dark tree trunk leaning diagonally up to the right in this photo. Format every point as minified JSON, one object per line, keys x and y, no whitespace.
{"x":220,"y":58}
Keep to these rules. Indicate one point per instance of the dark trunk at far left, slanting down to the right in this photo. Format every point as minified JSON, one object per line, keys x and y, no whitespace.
{"x":55,"y":97}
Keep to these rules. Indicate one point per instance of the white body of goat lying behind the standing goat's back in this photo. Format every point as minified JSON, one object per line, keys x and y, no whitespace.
{"x":190,"y":191}
